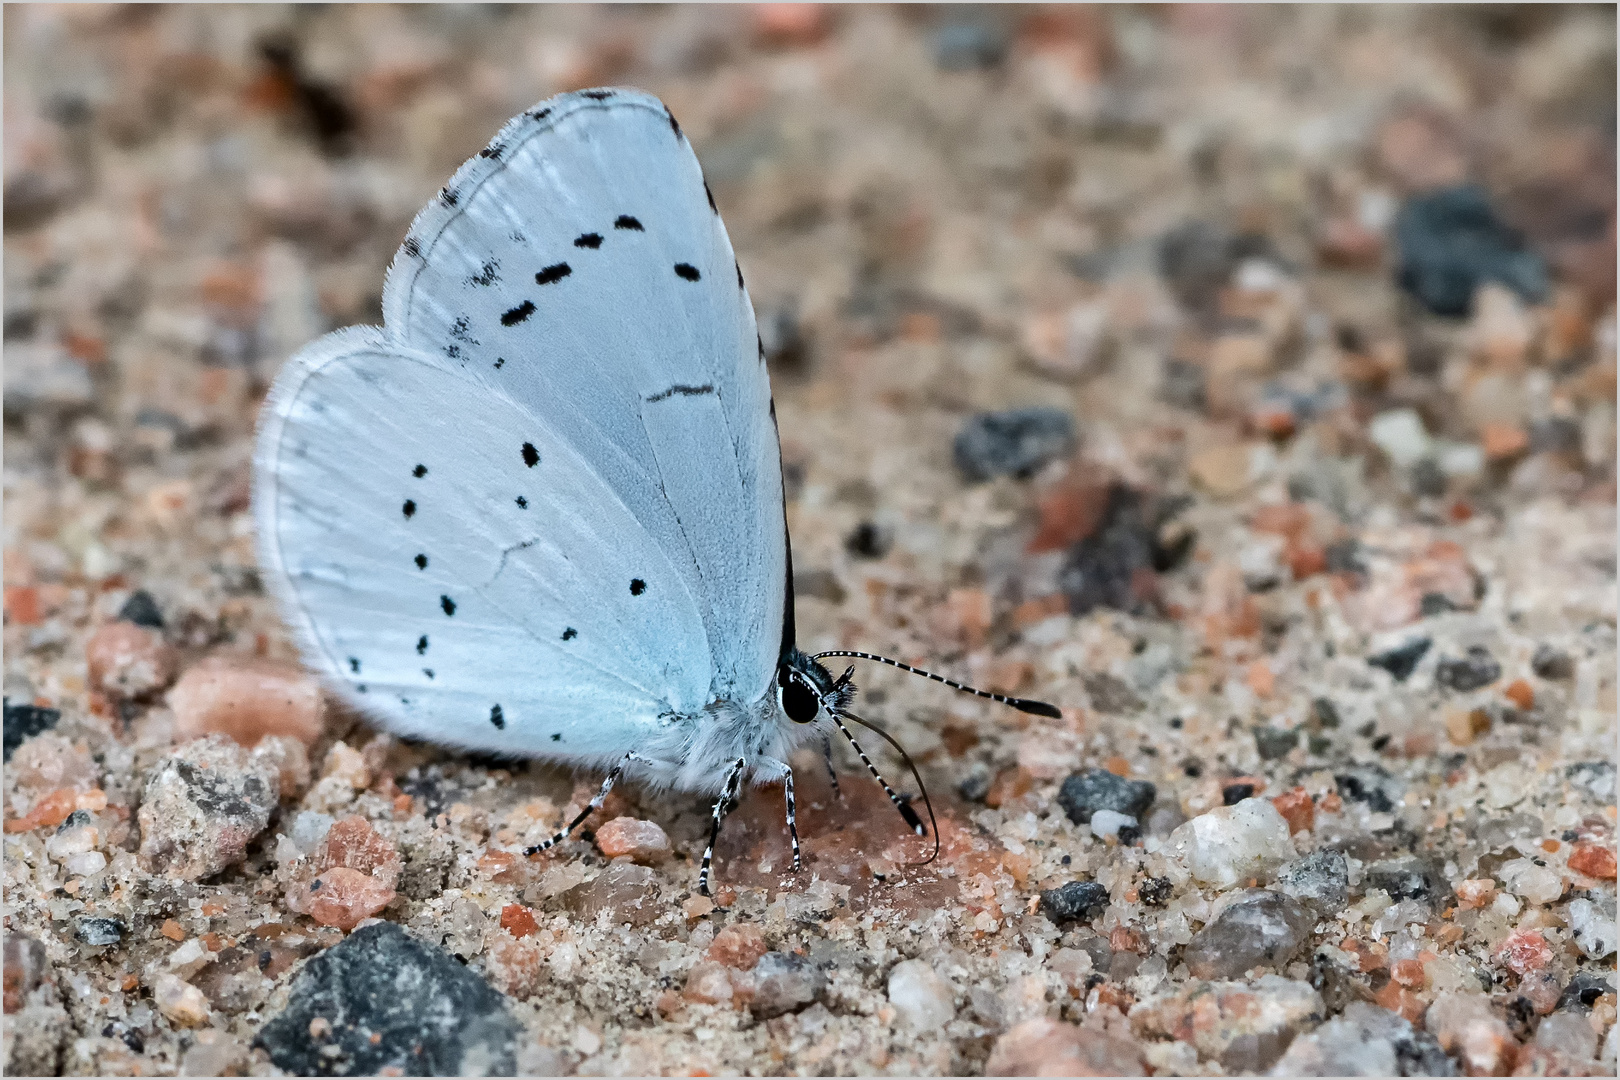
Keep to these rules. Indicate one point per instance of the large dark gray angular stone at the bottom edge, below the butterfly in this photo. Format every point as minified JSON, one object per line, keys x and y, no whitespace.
{"x":391,"y":1003}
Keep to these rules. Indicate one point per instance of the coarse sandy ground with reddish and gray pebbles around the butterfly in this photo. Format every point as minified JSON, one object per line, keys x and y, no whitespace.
{"x":1185,"y":229}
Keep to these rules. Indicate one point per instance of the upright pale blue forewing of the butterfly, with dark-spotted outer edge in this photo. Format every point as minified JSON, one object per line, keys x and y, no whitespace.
{"x":582,"y":270}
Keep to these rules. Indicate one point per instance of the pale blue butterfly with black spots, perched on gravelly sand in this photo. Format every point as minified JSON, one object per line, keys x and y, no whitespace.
{"x":539,"y":511}
